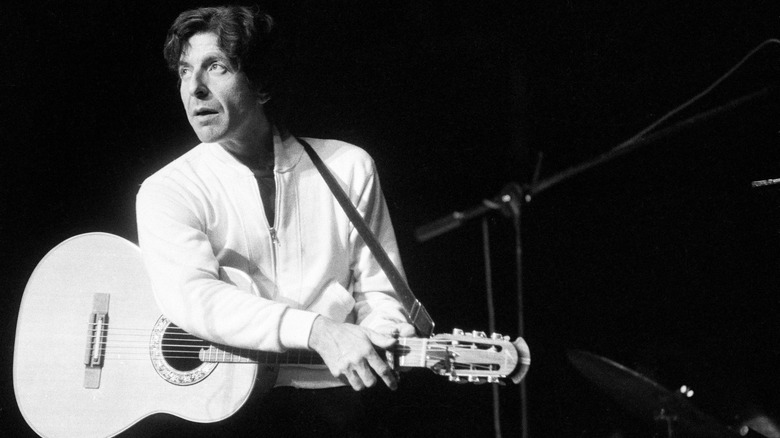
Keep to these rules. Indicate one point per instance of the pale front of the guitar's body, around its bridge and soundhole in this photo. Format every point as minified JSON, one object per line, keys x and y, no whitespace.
{"x":49,"y":370}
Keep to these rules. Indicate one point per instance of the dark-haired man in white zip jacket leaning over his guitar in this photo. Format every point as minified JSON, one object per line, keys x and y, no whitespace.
{"x":248,"y":197}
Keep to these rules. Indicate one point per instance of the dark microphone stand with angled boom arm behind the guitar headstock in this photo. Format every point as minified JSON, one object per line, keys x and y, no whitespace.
{"x":513,"y":195}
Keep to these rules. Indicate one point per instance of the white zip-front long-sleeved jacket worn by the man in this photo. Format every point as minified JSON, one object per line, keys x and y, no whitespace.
{"x":204,"y":211}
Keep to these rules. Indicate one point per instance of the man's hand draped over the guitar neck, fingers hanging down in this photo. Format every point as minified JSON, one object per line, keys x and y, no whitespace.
{"x":348,"y":350}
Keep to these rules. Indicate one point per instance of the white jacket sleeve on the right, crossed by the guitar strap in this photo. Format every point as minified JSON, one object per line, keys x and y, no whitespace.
{"x":376,"y":302}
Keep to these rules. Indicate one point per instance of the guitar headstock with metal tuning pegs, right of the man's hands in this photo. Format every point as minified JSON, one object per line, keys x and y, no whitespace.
{"x":473,"y":357}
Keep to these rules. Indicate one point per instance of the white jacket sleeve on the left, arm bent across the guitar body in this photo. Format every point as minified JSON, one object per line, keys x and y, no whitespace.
{"x":185,"y":276}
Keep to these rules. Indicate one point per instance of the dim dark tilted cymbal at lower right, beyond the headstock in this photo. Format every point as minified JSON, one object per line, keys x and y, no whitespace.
{"x":645,"y":398}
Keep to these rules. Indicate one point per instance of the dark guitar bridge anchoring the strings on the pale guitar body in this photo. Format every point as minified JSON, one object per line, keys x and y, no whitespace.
{"x":97,"y":329}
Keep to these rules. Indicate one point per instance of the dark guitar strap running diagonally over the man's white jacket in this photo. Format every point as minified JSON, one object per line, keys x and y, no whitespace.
{"x":417,"y":314}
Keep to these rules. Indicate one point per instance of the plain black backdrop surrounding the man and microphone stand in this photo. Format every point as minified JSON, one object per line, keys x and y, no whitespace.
{"x":665,"y":260}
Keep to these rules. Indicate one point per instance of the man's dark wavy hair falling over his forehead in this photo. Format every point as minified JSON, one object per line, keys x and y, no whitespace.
{"x":247,"y":36}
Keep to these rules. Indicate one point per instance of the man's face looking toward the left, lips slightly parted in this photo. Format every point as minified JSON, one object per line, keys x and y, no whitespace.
{"x":220,"y":104}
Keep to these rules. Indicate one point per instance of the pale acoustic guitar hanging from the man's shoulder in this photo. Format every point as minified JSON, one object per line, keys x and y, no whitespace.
{"x":93,"y":355}
